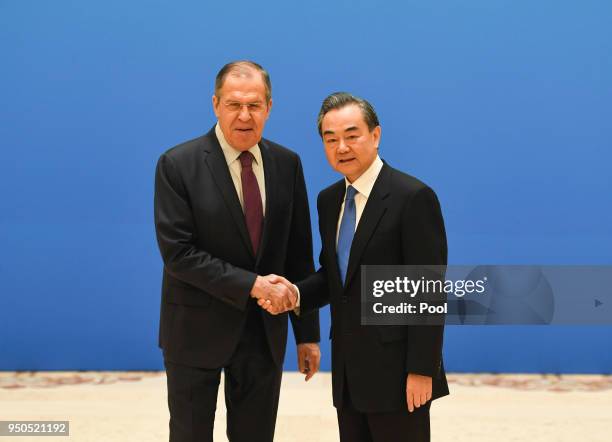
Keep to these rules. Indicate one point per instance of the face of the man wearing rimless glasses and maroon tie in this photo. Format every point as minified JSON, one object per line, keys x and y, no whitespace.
{"x":242,"y":109}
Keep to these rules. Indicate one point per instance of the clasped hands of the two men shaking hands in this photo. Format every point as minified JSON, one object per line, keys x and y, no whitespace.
{"x":274,"y":294}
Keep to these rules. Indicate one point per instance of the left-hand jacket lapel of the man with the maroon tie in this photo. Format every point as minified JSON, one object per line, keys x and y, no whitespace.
{"x":215,"y":160}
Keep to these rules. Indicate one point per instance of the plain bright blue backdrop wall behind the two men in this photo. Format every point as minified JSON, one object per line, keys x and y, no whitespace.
{"x":503,"y":107}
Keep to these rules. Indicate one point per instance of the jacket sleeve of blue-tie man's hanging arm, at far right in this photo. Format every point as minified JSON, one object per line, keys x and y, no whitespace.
{"x":424,"y":241}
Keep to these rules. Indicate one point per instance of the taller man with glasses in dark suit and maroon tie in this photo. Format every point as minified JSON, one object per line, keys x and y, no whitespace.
{"x":231,"y":206}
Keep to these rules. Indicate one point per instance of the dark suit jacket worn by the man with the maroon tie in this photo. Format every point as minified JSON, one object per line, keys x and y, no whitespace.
{"x":209,"y":264}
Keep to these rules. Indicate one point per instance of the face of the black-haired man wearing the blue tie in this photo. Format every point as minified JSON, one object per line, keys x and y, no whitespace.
{"x":350,"y":146}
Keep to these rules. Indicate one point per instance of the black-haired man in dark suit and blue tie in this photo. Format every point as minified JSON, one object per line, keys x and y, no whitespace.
{"x":383,"y":376}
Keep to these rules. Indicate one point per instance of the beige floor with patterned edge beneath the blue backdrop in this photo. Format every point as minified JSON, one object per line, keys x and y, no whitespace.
{"x":131,"y":407}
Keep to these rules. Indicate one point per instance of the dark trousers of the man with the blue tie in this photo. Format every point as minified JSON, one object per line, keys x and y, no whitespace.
{"x":400,"y":426}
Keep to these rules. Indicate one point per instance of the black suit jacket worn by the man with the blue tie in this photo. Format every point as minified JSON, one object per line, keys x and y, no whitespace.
{"x":401,"y":225}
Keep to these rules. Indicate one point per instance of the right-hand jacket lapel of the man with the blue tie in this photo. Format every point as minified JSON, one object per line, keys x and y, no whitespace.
{"x":372,"y":213}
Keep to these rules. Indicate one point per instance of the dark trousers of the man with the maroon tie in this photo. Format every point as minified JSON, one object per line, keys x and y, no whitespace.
{"x":252,"y":387}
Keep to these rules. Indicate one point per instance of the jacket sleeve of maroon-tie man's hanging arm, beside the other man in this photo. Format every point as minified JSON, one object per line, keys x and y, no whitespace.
{"x":299,"y":262}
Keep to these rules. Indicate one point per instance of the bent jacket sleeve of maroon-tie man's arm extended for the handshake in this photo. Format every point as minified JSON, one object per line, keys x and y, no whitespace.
{"x":174,"y":225}
